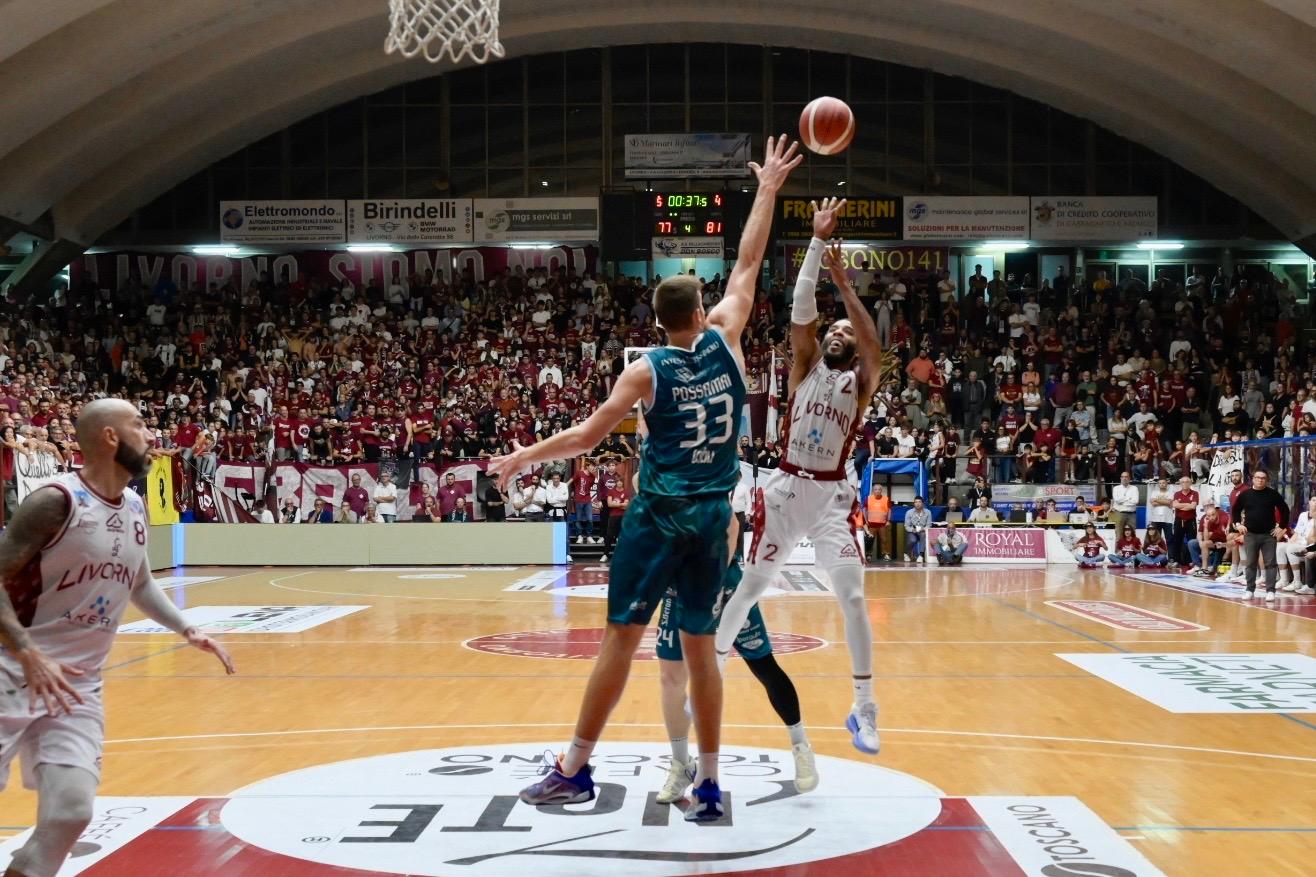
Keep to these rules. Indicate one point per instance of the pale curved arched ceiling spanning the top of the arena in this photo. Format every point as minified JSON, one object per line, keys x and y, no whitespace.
{"x":109,"y":103}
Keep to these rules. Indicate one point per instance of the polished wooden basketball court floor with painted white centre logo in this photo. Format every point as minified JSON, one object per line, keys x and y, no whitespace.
{"x":393,"y":739}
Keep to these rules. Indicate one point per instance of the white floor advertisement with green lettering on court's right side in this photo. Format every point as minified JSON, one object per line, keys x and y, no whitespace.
{"x":1206,"y":683}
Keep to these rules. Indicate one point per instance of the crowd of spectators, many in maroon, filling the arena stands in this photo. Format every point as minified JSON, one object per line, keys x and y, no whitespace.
{"x":1007,"y":380}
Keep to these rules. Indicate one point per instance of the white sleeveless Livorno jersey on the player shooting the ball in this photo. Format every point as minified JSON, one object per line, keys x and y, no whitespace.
{"x":824,"y":417}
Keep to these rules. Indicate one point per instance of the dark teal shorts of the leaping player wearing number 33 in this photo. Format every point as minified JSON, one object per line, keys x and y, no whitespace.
{"x":673,"y":543}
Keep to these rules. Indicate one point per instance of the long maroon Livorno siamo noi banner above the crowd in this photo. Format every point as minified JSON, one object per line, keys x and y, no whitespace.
{"x":184,"y":271}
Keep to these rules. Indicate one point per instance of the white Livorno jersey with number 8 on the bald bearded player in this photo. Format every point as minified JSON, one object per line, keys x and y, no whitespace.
{"x":73,"y":593}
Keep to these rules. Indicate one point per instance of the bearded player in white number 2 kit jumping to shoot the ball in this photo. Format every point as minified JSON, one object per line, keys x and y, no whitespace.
{"x":810,"y":493}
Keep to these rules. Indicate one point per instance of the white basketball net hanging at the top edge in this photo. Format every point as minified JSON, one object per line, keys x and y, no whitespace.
{"x":438,"y":28}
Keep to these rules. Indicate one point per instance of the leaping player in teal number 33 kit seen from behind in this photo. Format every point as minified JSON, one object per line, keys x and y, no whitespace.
{"x":676,"y":530}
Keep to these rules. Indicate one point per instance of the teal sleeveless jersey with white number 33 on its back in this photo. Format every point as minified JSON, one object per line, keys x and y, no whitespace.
{"x":694,"y":419}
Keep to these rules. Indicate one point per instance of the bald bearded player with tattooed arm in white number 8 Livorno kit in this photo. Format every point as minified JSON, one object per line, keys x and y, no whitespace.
{"x":72,"y":559}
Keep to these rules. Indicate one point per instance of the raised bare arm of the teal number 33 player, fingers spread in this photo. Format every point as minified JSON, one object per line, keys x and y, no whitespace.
{"x":731,"y":315}
